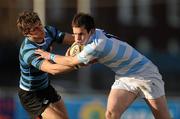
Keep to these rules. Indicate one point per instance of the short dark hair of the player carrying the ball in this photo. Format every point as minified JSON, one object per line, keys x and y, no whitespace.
{"x":83,"y":20}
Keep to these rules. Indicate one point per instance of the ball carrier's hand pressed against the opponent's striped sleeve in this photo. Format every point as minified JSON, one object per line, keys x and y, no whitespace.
{"x":43,"y":54}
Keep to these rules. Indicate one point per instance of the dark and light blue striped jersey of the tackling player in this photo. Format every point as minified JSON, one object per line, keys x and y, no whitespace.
{"x":32,"y":78}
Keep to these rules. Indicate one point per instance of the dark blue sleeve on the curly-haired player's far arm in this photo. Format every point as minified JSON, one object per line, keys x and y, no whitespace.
{"x":55,"y":34}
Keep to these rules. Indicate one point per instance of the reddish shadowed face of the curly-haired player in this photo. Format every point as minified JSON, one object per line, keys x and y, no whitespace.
{"x":37,"y":33}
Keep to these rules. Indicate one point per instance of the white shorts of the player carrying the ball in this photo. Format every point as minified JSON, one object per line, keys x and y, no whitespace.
{"x":145,"y":88}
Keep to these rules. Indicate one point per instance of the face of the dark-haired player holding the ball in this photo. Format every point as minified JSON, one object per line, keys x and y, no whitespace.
{"x":81,"y":35}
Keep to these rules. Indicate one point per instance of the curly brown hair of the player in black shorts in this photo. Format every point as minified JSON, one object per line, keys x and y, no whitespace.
{"x":26,"y":21}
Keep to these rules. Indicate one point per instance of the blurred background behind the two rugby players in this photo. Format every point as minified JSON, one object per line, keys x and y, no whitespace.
{"x":151,"y":26}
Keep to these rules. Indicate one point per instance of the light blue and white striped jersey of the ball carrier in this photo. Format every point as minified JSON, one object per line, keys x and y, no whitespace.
{"x":123,"y":59}
